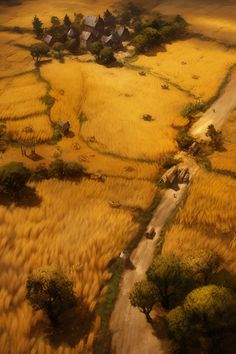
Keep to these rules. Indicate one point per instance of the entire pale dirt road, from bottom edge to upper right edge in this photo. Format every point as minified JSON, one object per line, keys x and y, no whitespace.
{"x":131,"y":334}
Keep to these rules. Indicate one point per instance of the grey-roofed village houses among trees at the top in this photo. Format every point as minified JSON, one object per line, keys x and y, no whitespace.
{"x":93,"y":29}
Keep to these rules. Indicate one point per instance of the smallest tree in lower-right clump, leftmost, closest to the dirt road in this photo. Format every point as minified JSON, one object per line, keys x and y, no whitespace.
{"x":144,"y":296}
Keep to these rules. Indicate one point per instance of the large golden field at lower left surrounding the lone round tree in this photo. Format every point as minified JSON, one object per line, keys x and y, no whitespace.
{"x":76,"y":229}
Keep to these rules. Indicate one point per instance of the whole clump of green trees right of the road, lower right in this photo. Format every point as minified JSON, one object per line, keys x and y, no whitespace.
{"x":197,"y":307}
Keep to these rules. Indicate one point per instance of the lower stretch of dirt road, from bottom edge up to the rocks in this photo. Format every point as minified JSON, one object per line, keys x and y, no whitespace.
{"x":131,"y":334}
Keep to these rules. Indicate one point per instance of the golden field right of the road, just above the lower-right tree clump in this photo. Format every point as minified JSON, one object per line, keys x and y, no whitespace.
{"x":207,"y":219}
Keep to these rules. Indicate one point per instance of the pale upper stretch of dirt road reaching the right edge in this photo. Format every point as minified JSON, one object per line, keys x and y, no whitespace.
{"x":220,"y":110}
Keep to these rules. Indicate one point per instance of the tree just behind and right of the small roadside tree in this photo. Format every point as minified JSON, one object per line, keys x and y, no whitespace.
{"x":169,"y":275}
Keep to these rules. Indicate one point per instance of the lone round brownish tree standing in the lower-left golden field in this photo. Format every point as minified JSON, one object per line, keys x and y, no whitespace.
{"x":48,"y":289}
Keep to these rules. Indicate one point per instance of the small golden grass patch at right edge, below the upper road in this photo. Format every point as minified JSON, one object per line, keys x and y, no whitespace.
{"x":226,"y":160}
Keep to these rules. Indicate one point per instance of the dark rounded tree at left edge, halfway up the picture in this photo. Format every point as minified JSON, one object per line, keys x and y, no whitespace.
{"x":13,"y":177}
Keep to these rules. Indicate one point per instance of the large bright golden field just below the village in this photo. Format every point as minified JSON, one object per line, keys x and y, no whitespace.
{"x":114,"y":102}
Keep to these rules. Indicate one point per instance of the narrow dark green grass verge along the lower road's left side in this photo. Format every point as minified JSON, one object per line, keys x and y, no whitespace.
{"x":103,"y":340}
